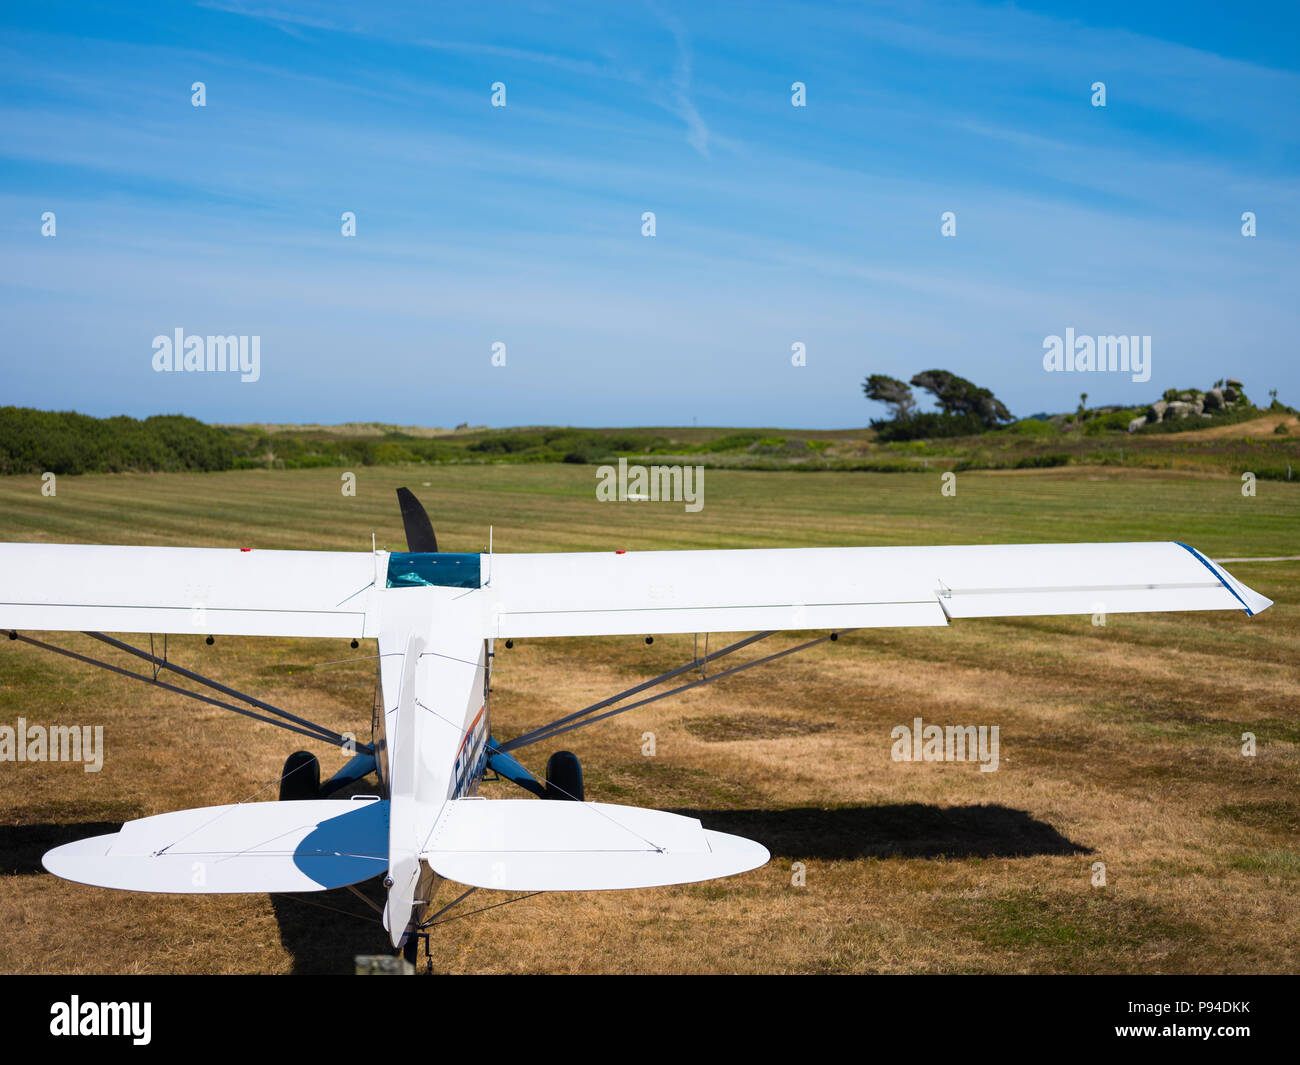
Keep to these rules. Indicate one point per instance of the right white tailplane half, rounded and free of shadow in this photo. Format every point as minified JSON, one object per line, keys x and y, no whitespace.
{"x":539,"y":846}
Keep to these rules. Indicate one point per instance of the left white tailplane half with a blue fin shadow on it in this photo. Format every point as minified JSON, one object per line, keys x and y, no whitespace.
{"x":253,"y":847}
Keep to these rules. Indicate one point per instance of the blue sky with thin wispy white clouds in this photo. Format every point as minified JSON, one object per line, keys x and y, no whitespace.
{"x":522,"y":226}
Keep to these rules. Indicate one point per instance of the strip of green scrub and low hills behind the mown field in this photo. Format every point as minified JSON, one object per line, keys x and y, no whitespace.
{"x":1266,"y":443}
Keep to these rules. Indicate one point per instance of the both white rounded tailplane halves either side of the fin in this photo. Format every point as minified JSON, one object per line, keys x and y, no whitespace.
{"x":323,"y":845}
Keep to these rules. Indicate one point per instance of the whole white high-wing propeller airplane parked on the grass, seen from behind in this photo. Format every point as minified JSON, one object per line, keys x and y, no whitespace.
{"x":436,"y":617}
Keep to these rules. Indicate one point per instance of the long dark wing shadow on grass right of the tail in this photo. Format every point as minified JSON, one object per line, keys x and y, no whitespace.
{"x":911,"y":830}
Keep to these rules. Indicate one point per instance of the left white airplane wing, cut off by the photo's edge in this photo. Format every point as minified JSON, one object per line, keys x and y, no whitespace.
{"x":203,"y":591}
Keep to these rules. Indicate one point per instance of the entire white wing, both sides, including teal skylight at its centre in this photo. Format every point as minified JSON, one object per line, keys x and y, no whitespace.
{"x":343,"y":594}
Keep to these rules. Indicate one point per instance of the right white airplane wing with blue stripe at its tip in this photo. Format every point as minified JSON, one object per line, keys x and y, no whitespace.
{"x":742,"y":591}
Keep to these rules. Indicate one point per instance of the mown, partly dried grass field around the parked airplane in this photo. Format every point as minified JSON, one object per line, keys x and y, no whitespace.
{"x":1120,"y":743}
